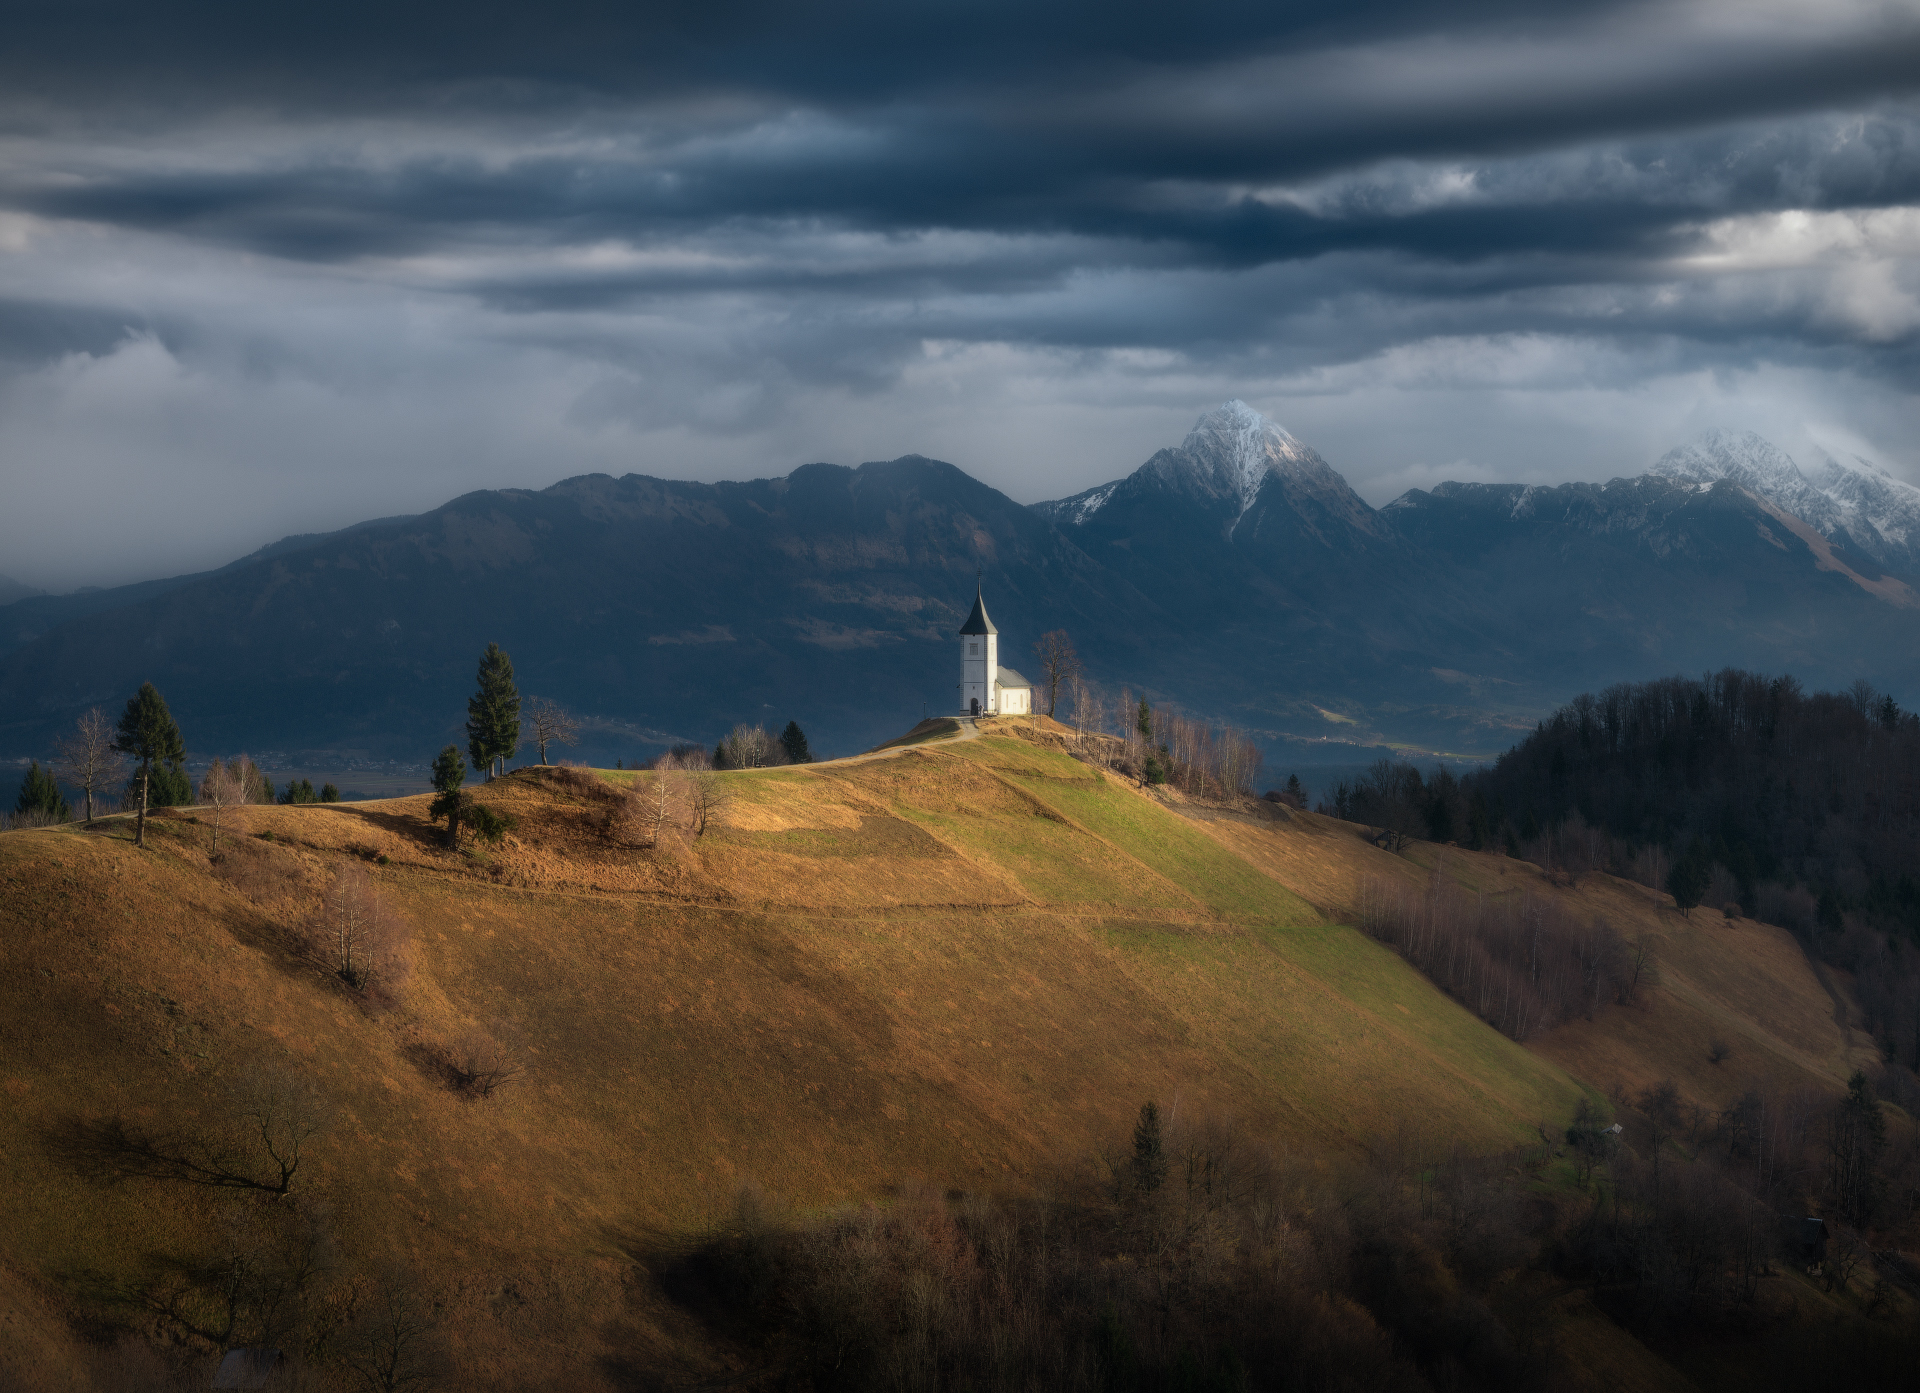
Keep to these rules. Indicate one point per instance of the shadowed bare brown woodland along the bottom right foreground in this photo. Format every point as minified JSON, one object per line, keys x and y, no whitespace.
{"x":1189,"y":1258}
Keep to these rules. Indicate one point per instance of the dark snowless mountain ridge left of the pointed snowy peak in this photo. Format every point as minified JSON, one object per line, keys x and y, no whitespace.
{"x":658,"y":611}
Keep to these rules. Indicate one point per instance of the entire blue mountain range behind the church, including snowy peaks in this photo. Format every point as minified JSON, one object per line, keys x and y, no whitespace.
{"x":1236,"y":575}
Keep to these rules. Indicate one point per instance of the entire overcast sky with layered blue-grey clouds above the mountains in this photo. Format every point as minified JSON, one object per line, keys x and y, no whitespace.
{"x":270,"y":273}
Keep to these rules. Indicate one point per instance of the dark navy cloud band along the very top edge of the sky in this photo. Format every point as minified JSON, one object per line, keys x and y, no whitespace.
{"x":852,"y":51}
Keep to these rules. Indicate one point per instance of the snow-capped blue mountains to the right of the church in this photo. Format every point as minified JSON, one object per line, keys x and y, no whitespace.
{"x":1451,"y":611}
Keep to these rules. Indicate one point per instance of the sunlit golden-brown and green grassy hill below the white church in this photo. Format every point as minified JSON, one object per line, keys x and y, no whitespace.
{"x":951,"y":964}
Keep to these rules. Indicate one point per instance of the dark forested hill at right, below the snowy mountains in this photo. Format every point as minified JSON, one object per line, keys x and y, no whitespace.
{"x":1742,"y":793}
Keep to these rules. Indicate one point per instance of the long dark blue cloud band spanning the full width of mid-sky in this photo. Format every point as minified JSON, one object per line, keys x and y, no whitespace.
{"x":1639,"y":201}
